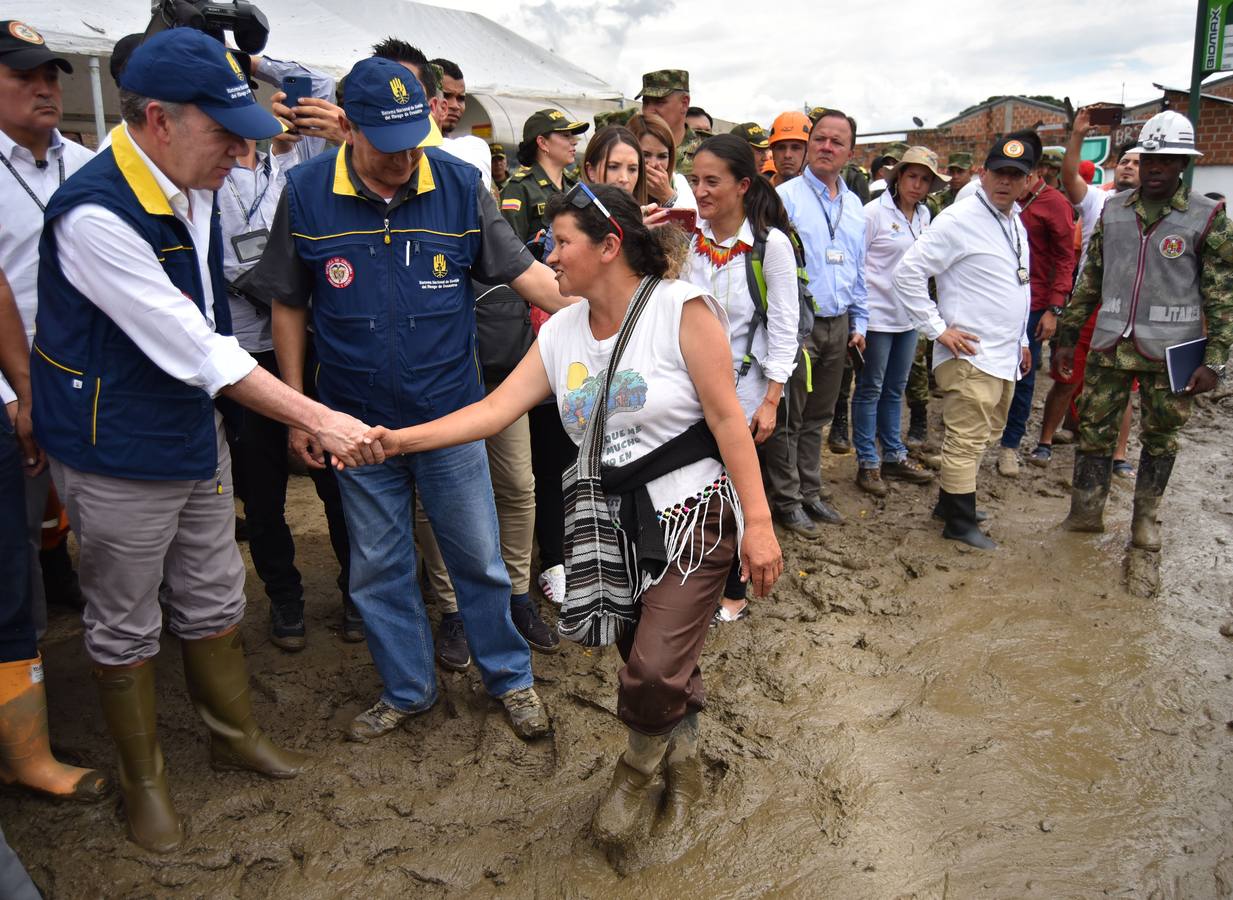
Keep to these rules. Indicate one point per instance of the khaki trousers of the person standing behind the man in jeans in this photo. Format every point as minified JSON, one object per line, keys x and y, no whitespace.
{"x":514,"y":488}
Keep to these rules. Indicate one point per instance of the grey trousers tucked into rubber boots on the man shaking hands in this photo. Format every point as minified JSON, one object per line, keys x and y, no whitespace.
{"x":139,"y":534}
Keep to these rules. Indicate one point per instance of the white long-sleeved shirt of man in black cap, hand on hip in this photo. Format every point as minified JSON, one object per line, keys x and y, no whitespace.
{"x":970,"y":251}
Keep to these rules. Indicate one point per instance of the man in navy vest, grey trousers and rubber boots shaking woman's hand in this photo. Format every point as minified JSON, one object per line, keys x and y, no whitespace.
{"x":131,"y":350}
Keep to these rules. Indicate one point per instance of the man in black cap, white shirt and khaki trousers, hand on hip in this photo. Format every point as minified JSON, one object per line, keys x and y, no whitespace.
{"x":977,"y":251}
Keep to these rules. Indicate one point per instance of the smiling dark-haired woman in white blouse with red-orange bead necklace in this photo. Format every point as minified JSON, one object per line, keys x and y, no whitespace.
{"x":737,"y":205}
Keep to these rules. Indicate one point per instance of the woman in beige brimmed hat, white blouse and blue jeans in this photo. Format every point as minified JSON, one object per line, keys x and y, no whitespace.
{"x":892,"y":225}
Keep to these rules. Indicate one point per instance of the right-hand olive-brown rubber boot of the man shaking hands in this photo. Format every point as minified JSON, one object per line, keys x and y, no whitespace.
{"x":218,"y":679}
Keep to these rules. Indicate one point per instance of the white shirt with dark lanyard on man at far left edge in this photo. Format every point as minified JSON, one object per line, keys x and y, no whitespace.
{"x":22,"y":220}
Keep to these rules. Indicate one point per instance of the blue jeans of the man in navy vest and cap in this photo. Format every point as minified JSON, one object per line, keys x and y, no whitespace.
{"x":457,"y":494}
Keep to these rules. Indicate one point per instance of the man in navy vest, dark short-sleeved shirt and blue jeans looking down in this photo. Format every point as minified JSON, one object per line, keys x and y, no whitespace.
{"x":384,"y":237}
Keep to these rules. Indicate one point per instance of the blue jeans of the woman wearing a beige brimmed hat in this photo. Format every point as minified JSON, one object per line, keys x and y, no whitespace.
{"x":879,"y":399}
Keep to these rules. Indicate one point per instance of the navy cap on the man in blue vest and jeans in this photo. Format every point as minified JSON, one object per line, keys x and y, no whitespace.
{"x":385,"y":102}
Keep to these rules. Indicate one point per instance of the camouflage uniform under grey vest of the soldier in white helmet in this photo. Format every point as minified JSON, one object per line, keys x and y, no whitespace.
{"x":1109,"y":374}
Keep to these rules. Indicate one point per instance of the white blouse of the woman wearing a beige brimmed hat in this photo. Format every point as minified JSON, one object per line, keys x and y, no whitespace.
{"x":888,"y":236}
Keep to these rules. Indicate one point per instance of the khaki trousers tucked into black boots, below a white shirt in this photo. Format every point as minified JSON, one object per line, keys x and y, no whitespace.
{"x":975,"y":409}
